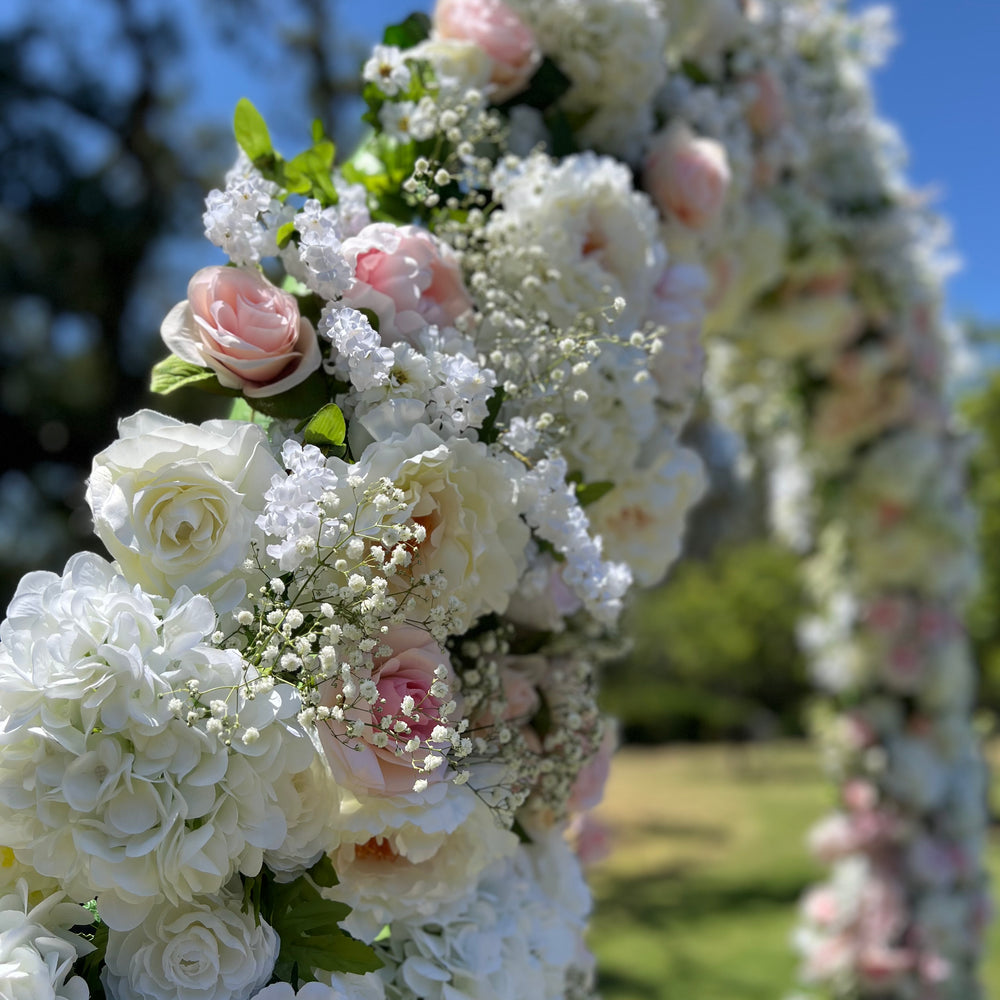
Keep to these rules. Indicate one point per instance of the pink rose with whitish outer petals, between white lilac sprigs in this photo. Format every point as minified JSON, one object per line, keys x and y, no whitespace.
{"x":409,"y":279}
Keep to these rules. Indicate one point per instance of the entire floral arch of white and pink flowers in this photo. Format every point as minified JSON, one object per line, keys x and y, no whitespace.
{"x":327,"y":725}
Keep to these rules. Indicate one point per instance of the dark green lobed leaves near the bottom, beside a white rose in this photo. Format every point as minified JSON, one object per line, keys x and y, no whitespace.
{"x":307,"y":925}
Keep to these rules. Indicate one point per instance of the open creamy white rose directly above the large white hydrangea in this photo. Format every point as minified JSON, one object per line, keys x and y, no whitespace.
{"x":175,"y":503}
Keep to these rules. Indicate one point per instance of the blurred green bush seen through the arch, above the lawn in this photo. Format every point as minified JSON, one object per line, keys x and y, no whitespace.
{"x":715,"y":654}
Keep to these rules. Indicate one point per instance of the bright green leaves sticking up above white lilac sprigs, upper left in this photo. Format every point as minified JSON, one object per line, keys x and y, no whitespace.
{"x":308,"y":174}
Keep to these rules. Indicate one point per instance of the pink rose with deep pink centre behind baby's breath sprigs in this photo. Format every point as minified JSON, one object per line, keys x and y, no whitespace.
{"x":410,"y":671}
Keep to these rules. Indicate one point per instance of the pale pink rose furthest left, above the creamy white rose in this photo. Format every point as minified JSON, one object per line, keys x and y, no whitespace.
{"x":245,"y":329}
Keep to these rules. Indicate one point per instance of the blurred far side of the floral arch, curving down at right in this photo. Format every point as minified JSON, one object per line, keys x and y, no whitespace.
{"x":827,"y":340}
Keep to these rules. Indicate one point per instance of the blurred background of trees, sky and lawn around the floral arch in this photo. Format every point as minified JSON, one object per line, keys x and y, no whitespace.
{"x":115,"y":120}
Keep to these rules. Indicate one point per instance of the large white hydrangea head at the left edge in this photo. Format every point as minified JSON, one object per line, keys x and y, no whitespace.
{"x":101,"y":785}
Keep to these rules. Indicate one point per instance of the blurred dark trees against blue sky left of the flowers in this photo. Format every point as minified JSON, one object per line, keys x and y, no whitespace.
{"x":103,"y":168}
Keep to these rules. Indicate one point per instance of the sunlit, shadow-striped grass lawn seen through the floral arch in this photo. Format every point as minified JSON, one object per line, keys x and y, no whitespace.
{"x":697,"y":901}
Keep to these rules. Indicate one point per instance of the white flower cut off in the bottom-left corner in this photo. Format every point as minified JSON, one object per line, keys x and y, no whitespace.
{"x":37,"y":949}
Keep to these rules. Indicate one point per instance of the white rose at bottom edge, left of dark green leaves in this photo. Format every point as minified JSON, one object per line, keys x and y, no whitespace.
{"x":211,"y":950}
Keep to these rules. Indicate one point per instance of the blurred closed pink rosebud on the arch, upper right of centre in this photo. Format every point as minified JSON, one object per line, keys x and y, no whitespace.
{"x":687,"y":176}
